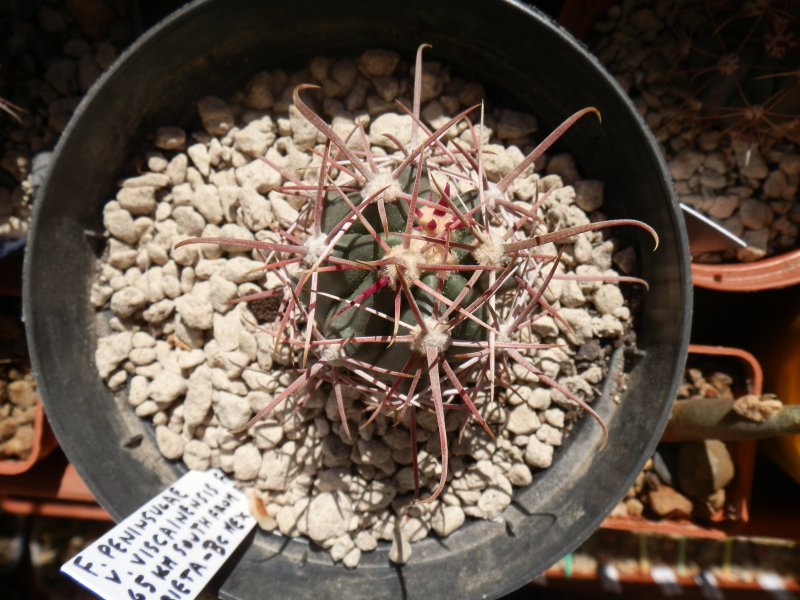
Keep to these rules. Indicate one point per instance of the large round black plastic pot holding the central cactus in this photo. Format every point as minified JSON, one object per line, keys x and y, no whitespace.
{"x":209,"y":47}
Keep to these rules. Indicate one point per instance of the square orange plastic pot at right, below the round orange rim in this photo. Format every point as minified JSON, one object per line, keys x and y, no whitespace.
{"x":736,"y":512}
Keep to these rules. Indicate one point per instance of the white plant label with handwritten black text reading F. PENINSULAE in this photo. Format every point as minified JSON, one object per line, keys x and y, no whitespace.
{"x":171,"y":547}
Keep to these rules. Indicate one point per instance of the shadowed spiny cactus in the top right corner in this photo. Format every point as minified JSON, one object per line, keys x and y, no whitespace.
{"x":737,"y":65}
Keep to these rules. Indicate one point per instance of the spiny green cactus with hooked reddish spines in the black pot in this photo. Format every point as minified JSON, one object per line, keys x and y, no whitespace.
{"x":408,"y":280}
